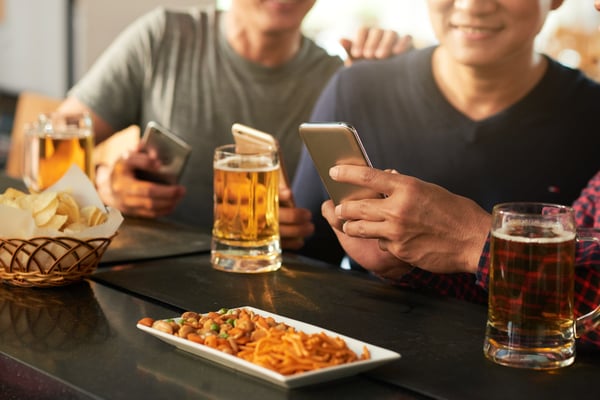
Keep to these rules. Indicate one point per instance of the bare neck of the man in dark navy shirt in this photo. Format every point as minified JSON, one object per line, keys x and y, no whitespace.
{"x":481,"y":91}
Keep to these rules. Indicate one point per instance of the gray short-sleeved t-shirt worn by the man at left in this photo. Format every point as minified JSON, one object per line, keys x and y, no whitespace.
{"x":176,"y":68}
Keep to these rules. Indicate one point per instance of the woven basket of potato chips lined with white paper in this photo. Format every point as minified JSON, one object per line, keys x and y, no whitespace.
{"x":52,"y":239}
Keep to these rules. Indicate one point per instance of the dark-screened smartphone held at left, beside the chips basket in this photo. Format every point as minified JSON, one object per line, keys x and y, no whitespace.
{"x":170,"y":149}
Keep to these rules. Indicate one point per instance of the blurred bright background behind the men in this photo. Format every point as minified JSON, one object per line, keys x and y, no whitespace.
{"x":47,"y":45}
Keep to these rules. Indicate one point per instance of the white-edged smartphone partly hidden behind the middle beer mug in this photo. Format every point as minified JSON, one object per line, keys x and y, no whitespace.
{"x":250,"y":139}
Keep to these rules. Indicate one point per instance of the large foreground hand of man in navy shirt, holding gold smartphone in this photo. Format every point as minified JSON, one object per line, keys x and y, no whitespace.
{"x":419,"y":223}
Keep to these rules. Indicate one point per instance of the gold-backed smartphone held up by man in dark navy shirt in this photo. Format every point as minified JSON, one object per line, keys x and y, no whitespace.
{"x":336,"y":143}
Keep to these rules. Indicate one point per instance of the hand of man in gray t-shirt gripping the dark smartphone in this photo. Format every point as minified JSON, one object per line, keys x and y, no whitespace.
{"x":118,"y":187}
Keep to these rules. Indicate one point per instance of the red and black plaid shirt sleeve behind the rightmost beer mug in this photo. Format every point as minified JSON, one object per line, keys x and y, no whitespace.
{"x":587,"y":274}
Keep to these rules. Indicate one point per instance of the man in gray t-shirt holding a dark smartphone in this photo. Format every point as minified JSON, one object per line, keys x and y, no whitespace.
{"x":197,"y":72}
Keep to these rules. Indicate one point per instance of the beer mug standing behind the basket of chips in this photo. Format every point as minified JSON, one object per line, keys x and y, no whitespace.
{"x":53,"y":143}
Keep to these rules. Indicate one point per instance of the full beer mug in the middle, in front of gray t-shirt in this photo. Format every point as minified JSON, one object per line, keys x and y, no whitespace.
{"x":245,"y":236}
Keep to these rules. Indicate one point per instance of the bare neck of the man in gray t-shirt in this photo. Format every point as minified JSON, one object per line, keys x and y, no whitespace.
{"x":267,"y":48}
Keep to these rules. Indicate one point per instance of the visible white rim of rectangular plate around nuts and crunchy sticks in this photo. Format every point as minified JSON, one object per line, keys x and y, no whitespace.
{"x":379,"y":355}
